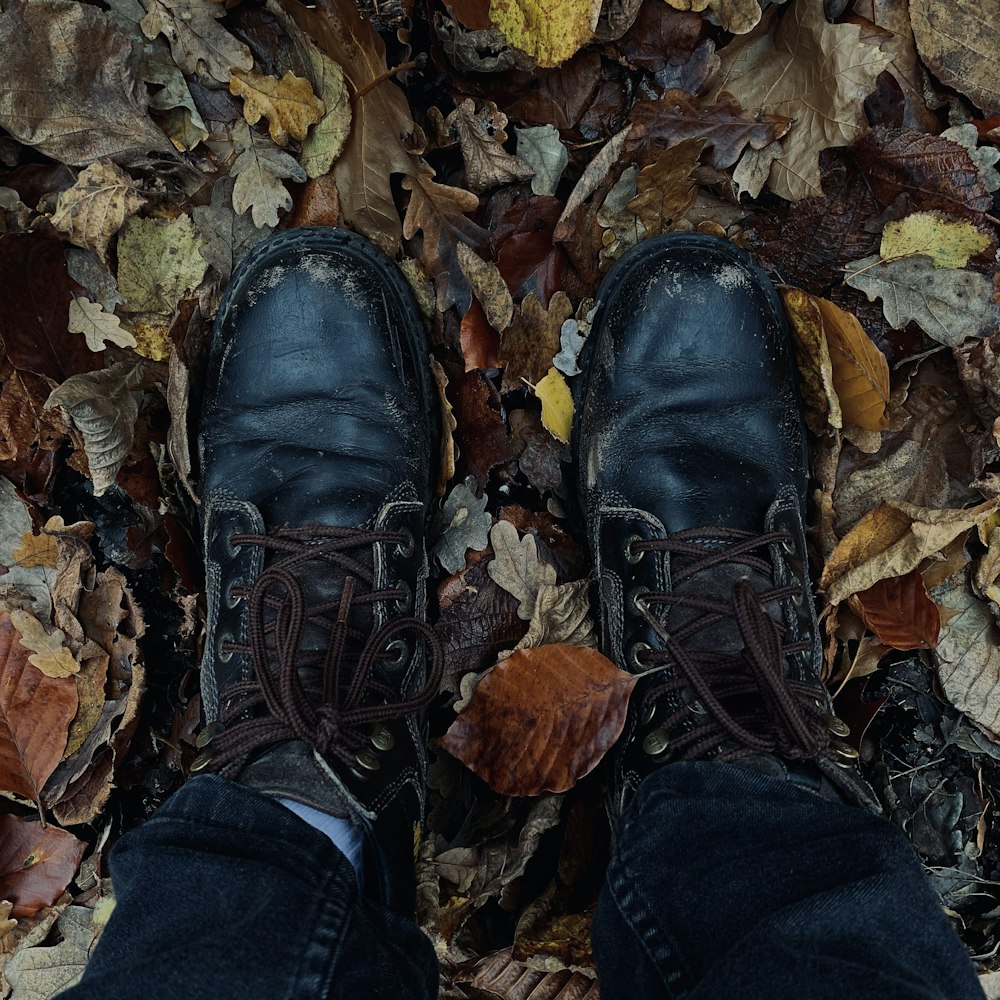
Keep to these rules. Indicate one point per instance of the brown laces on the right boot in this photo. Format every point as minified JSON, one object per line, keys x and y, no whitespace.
{"x":729,"y":706}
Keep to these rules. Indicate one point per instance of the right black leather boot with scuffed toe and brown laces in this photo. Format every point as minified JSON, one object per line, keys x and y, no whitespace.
{"x":691,"y":451}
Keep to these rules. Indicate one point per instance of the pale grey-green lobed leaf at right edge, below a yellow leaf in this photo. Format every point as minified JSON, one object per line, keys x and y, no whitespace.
{"x":947,"y":304}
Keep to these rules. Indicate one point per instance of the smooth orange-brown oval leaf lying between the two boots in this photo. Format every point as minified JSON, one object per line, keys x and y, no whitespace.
{"x":542,"y":719}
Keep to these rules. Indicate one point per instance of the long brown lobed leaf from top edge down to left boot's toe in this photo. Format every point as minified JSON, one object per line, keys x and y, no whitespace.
{"x":375,"y":149}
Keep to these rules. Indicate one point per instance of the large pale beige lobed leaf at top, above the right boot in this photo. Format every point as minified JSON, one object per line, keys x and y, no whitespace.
{"x":799,"y":66}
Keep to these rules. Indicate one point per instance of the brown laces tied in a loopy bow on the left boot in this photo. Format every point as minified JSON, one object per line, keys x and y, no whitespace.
{"x":316,"y":709}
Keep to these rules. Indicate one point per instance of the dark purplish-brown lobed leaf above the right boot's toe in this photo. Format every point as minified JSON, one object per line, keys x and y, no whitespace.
{"x":723,"y":123}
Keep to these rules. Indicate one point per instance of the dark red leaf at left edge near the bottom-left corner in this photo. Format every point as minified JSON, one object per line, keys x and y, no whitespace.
{"x":37,"y":863}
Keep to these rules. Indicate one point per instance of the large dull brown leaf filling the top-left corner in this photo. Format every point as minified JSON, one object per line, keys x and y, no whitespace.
{"x":70,"y":87}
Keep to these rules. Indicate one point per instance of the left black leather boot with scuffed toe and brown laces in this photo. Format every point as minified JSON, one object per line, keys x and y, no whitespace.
{"x":318,"y":442}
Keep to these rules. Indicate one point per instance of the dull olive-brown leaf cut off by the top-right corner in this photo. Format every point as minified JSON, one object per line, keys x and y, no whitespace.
{"x":959,"y":46}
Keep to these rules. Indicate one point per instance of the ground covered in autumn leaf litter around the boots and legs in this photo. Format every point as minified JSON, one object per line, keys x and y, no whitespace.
{"x":147,"y":145}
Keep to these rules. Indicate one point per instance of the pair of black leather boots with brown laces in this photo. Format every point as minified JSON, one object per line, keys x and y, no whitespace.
{"x":318,"y":451}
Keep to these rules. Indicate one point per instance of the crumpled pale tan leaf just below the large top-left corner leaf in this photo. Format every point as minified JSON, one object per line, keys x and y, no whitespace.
{"x":95,"y":208}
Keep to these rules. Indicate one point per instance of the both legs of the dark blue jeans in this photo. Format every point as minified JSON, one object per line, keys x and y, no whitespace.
{"x":724,"y":883}
